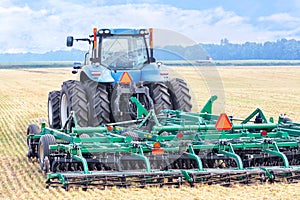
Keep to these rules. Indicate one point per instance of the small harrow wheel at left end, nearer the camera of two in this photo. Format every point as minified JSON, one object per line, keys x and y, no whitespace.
{"x":44,"y":151}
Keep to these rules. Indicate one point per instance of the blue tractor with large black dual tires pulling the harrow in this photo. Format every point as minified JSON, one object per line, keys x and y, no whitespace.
{"x":118,"y":65}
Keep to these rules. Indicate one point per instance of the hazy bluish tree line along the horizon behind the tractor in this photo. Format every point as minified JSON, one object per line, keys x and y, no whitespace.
{"x":282,"y":49}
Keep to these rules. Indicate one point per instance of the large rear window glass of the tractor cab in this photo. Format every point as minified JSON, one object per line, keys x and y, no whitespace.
{"x":123,"y":52}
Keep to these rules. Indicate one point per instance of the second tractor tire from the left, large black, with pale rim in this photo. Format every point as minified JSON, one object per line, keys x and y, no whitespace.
{"x":73,"y":98}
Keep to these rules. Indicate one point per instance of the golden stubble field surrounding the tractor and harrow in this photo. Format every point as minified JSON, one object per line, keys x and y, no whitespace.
{"x":23,"y":100}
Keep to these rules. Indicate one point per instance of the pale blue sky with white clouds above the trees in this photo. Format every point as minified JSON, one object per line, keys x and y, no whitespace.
{"x":39,"y":26}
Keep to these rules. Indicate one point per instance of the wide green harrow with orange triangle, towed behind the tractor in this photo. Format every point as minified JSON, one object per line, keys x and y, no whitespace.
{"x":172,"y":148}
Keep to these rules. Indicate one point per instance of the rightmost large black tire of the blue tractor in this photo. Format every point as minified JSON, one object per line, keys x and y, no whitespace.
{"x":180,"y":97}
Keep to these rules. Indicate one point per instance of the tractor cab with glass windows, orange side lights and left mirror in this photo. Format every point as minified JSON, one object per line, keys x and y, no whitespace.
{"x":118,"y":49}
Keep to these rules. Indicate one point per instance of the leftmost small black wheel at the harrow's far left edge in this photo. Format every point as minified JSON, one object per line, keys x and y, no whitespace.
{"x":32,"y":129}
